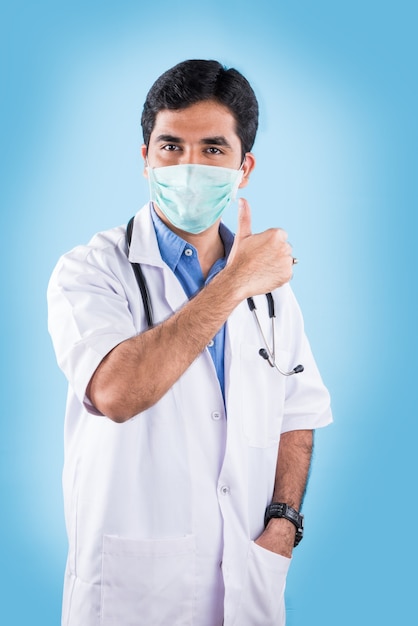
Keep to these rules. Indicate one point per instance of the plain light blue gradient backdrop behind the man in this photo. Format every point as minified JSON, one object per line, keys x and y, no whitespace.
{"x":337,"y":168}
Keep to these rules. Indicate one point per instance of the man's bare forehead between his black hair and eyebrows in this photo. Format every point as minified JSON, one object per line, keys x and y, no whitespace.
{"x":203,"y":119}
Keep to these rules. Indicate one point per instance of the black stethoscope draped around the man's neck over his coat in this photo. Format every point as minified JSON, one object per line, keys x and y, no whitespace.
{"x":266,"y":353}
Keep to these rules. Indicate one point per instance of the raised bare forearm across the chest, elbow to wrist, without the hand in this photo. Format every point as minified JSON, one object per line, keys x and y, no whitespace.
{"x":139,"y":371}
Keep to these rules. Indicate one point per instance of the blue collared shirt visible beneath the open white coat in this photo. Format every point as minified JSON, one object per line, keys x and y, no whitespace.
{"x":181,"y":257}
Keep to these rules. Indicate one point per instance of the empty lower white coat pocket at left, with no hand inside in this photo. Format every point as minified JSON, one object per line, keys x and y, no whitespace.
{"x":148,"y":582}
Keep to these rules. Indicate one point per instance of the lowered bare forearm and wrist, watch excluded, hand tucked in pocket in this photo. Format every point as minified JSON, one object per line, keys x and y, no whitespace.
{"x":292,"y":471}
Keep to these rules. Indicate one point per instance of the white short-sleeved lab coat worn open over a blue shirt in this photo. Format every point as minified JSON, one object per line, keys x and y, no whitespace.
{"x":162,"y":510}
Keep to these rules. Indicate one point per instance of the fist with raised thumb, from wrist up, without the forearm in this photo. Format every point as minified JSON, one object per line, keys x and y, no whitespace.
{"x":261,"y":262}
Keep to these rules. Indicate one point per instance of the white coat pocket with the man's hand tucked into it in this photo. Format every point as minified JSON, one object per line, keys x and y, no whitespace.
{"x":262,"y":599}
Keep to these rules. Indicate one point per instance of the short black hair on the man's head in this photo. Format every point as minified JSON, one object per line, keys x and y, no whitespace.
{"x":194,"y":81}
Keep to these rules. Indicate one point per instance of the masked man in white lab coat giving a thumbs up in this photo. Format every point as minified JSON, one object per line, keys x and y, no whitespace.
{"x":178,"y":435}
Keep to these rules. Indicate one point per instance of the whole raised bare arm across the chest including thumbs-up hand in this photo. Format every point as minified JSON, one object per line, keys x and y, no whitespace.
{"x":139,"y":371}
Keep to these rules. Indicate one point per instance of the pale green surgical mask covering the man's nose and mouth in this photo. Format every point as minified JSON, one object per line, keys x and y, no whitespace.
{"x":193,"y":197}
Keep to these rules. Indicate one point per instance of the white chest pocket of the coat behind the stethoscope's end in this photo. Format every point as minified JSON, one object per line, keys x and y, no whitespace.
{"x":262,"y":396}
